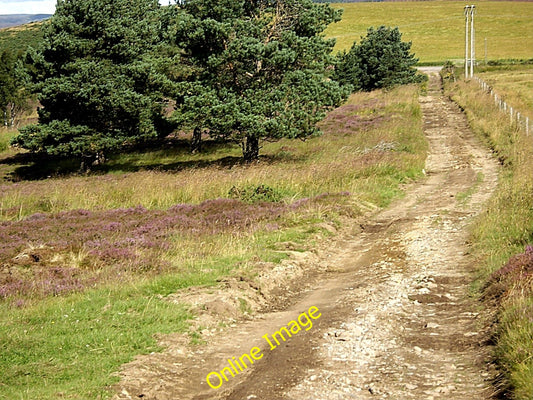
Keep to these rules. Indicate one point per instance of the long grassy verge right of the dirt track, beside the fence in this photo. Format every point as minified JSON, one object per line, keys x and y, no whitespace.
{"x":501,"y":234}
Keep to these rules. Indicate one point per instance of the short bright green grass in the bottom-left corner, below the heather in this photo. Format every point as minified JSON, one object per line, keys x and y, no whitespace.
{"x":70,"y":347}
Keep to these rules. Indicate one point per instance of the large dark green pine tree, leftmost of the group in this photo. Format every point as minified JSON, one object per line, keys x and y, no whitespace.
{"x":98,"y":85}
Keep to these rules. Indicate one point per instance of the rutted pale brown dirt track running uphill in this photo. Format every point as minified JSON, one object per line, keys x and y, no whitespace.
{"x":396,"y":320}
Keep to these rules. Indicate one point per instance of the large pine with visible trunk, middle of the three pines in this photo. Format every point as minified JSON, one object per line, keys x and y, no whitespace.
{"x":257,"y":69}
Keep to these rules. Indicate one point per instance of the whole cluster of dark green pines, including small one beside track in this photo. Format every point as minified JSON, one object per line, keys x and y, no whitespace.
{"x":243,"y":71}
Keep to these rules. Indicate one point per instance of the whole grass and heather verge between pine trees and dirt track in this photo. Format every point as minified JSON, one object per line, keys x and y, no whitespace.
{"x":85,"y":269}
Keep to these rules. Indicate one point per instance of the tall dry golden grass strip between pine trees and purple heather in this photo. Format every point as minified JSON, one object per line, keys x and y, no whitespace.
{"x":348,"y":157}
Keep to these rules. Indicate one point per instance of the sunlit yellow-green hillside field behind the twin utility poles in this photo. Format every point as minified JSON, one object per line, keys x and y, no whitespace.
{"x":436,"y":28}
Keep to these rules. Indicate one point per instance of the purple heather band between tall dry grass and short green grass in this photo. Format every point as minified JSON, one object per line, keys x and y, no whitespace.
{"x":68,"y":251}
